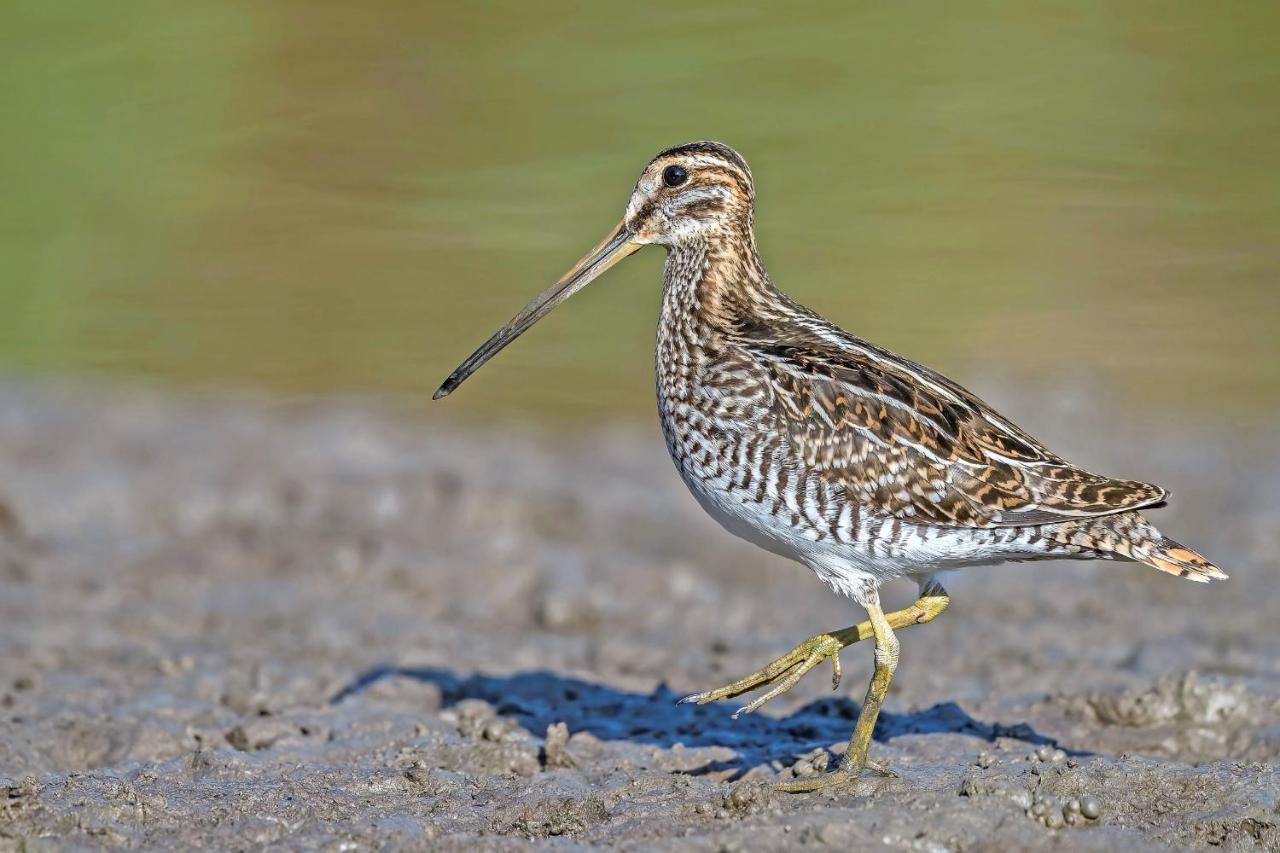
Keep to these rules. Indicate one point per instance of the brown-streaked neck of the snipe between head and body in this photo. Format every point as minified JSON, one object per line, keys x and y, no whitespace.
{"x":717,"y":281}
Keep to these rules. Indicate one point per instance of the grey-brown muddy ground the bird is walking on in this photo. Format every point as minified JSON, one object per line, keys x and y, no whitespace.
{"x":235,"y":624}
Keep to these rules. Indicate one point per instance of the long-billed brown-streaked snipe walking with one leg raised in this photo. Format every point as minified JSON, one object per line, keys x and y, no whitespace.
{"x":829,"y":450}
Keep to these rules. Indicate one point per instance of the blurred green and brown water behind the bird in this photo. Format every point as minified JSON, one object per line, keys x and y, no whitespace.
{"x":335,"y":197}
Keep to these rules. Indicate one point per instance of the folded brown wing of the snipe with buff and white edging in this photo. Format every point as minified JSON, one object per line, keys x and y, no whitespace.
{"x":908,"y":443}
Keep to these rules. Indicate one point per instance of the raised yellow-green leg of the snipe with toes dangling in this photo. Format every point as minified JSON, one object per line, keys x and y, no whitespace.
{"x":789,"y":669}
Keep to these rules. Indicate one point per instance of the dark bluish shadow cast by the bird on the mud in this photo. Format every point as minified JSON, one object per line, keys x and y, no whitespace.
{"x":540,"y":699}
